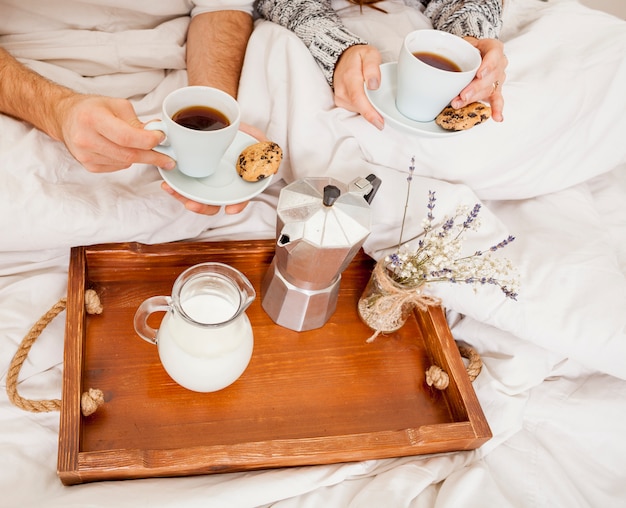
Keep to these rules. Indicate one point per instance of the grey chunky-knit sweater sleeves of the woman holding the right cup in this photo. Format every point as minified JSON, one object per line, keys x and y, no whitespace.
{"x":320,"y":28}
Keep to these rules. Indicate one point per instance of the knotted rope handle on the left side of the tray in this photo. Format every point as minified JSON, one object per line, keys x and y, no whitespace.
{"x":90,"y":400}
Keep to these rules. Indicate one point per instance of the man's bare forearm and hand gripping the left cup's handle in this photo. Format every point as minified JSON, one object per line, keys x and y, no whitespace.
{"x":102,"y":133}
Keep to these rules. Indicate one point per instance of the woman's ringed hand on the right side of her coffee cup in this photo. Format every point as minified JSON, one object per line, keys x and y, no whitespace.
{"x":487,"y":85}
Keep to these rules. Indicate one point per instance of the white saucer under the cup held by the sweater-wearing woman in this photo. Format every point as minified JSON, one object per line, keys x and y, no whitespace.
{"x":384,"y":101}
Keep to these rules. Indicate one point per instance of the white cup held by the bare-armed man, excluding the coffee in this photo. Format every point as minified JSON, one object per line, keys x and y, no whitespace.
{"x":197,"y":152}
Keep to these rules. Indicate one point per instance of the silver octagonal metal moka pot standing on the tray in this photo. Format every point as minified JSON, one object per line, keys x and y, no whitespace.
{"x":321,"y":225}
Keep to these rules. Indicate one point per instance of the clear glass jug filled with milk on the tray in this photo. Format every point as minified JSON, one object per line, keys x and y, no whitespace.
{"x":205,"y":340}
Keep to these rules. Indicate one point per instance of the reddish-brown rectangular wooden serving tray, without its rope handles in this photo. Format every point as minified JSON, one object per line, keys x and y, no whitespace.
{"x":315,"y":397}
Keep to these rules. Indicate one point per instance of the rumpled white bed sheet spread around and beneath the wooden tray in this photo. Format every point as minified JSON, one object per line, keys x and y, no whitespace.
{"x":553,"y":386}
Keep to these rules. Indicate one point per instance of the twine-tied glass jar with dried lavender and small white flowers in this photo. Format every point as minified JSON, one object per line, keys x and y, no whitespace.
{"x":398,"y":281}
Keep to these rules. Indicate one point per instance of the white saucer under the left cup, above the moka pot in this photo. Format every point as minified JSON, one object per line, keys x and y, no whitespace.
{"x":225,"y":187}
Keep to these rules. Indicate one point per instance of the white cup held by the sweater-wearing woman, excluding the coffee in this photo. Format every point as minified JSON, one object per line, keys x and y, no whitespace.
{"x":423,"y":90}
